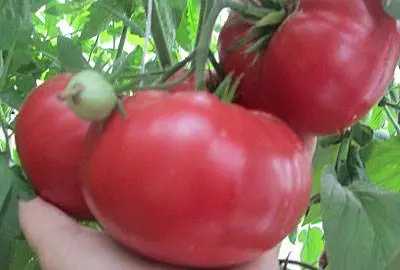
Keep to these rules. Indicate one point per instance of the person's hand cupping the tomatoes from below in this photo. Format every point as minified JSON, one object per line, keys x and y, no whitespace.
{"x":63,"y":244}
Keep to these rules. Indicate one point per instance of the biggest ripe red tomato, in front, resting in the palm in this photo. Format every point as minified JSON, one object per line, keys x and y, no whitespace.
{"x":189,"y":180}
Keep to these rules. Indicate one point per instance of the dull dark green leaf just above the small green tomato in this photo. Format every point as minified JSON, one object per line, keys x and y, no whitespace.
{"x":70,"y":55}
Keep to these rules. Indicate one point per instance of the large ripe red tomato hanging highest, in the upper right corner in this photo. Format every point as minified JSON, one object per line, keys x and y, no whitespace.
{"x":325,"y":67}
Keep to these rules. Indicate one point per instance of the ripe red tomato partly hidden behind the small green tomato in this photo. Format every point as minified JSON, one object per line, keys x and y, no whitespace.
{"x":49,"y":140}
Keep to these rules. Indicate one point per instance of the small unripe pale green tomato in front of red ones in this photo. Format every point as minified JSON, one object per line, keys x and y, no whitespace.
{"x":90,"y":96}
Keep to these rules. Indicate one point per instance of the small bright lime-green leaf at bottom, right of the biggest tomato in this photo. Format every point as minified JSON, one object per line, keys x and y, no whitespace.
{"x":313,"y":244}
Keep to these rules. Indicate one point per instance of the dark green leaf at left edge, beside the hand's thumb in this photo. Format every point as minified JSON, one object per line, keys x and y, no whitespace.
{"x":8,"y":213}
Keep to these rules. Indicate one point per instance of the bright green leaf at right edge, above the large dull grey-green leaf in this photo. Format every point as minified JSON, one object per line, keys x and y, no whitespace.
{"x":382,"y":164}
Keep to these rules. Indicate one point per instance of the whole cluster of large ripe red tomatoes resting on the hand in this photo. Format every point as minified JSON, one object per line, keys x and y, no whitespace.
{"x":186,"y":179}
